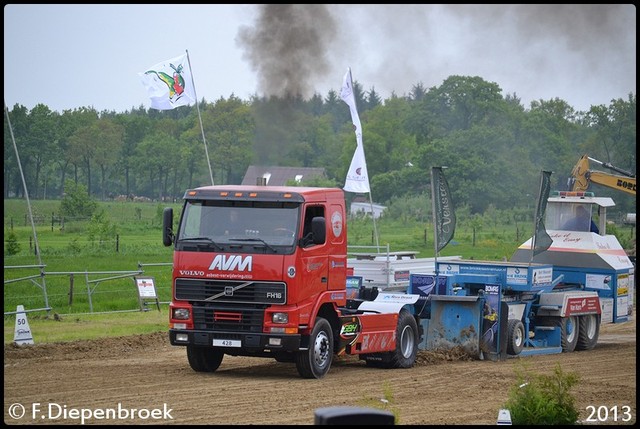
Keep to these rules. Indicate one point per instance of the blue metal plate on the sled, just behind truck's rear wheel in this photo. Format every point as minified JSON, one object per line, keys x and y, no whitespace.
{"x":456,"y":321}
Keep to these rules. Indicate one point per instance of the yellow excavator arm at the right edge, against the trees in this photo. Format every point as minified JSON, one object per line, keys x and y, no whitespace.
{"x":582,"y":176}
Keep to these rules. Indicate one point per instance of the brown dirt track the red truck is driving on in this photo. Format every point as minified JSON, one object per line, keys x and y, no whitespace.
{"x":145,"y":372}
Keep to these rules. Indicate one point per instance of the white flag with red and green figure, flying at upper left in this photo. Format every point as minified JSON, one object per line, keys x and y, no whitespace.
{"x":169,"y":83}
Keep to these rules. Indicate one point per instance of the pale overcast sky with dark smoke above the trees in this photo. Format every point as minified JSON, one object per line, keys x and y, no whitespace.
{"x":71,"y":56}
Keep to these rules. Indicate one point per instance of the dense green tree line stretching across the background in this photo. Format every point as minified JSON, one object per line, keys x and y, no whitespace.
{"x":493,"y":146}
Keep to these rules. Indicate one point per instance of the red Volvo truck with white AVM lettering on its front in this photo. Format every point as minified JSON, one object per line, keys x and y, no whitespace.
{"x":262,"y":271}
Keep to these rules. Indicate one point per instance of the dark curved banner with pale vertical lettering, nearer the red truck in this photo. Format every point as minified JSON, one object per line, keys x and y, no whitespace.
{"x":445,"y":217}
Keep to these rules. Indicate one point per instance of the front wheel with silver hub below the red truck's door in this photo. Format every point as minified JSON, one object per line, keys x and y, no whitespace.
{"x":316,"y":361}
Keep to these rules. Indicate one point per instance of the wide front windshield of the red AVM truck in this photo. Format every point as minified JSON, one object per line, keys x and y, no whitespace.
{"x":270,"y":225}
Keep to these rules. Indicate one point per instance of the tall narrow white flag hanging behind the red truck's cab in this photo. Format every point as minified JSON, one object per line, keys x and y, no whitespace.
{"x":357,"y":177}
